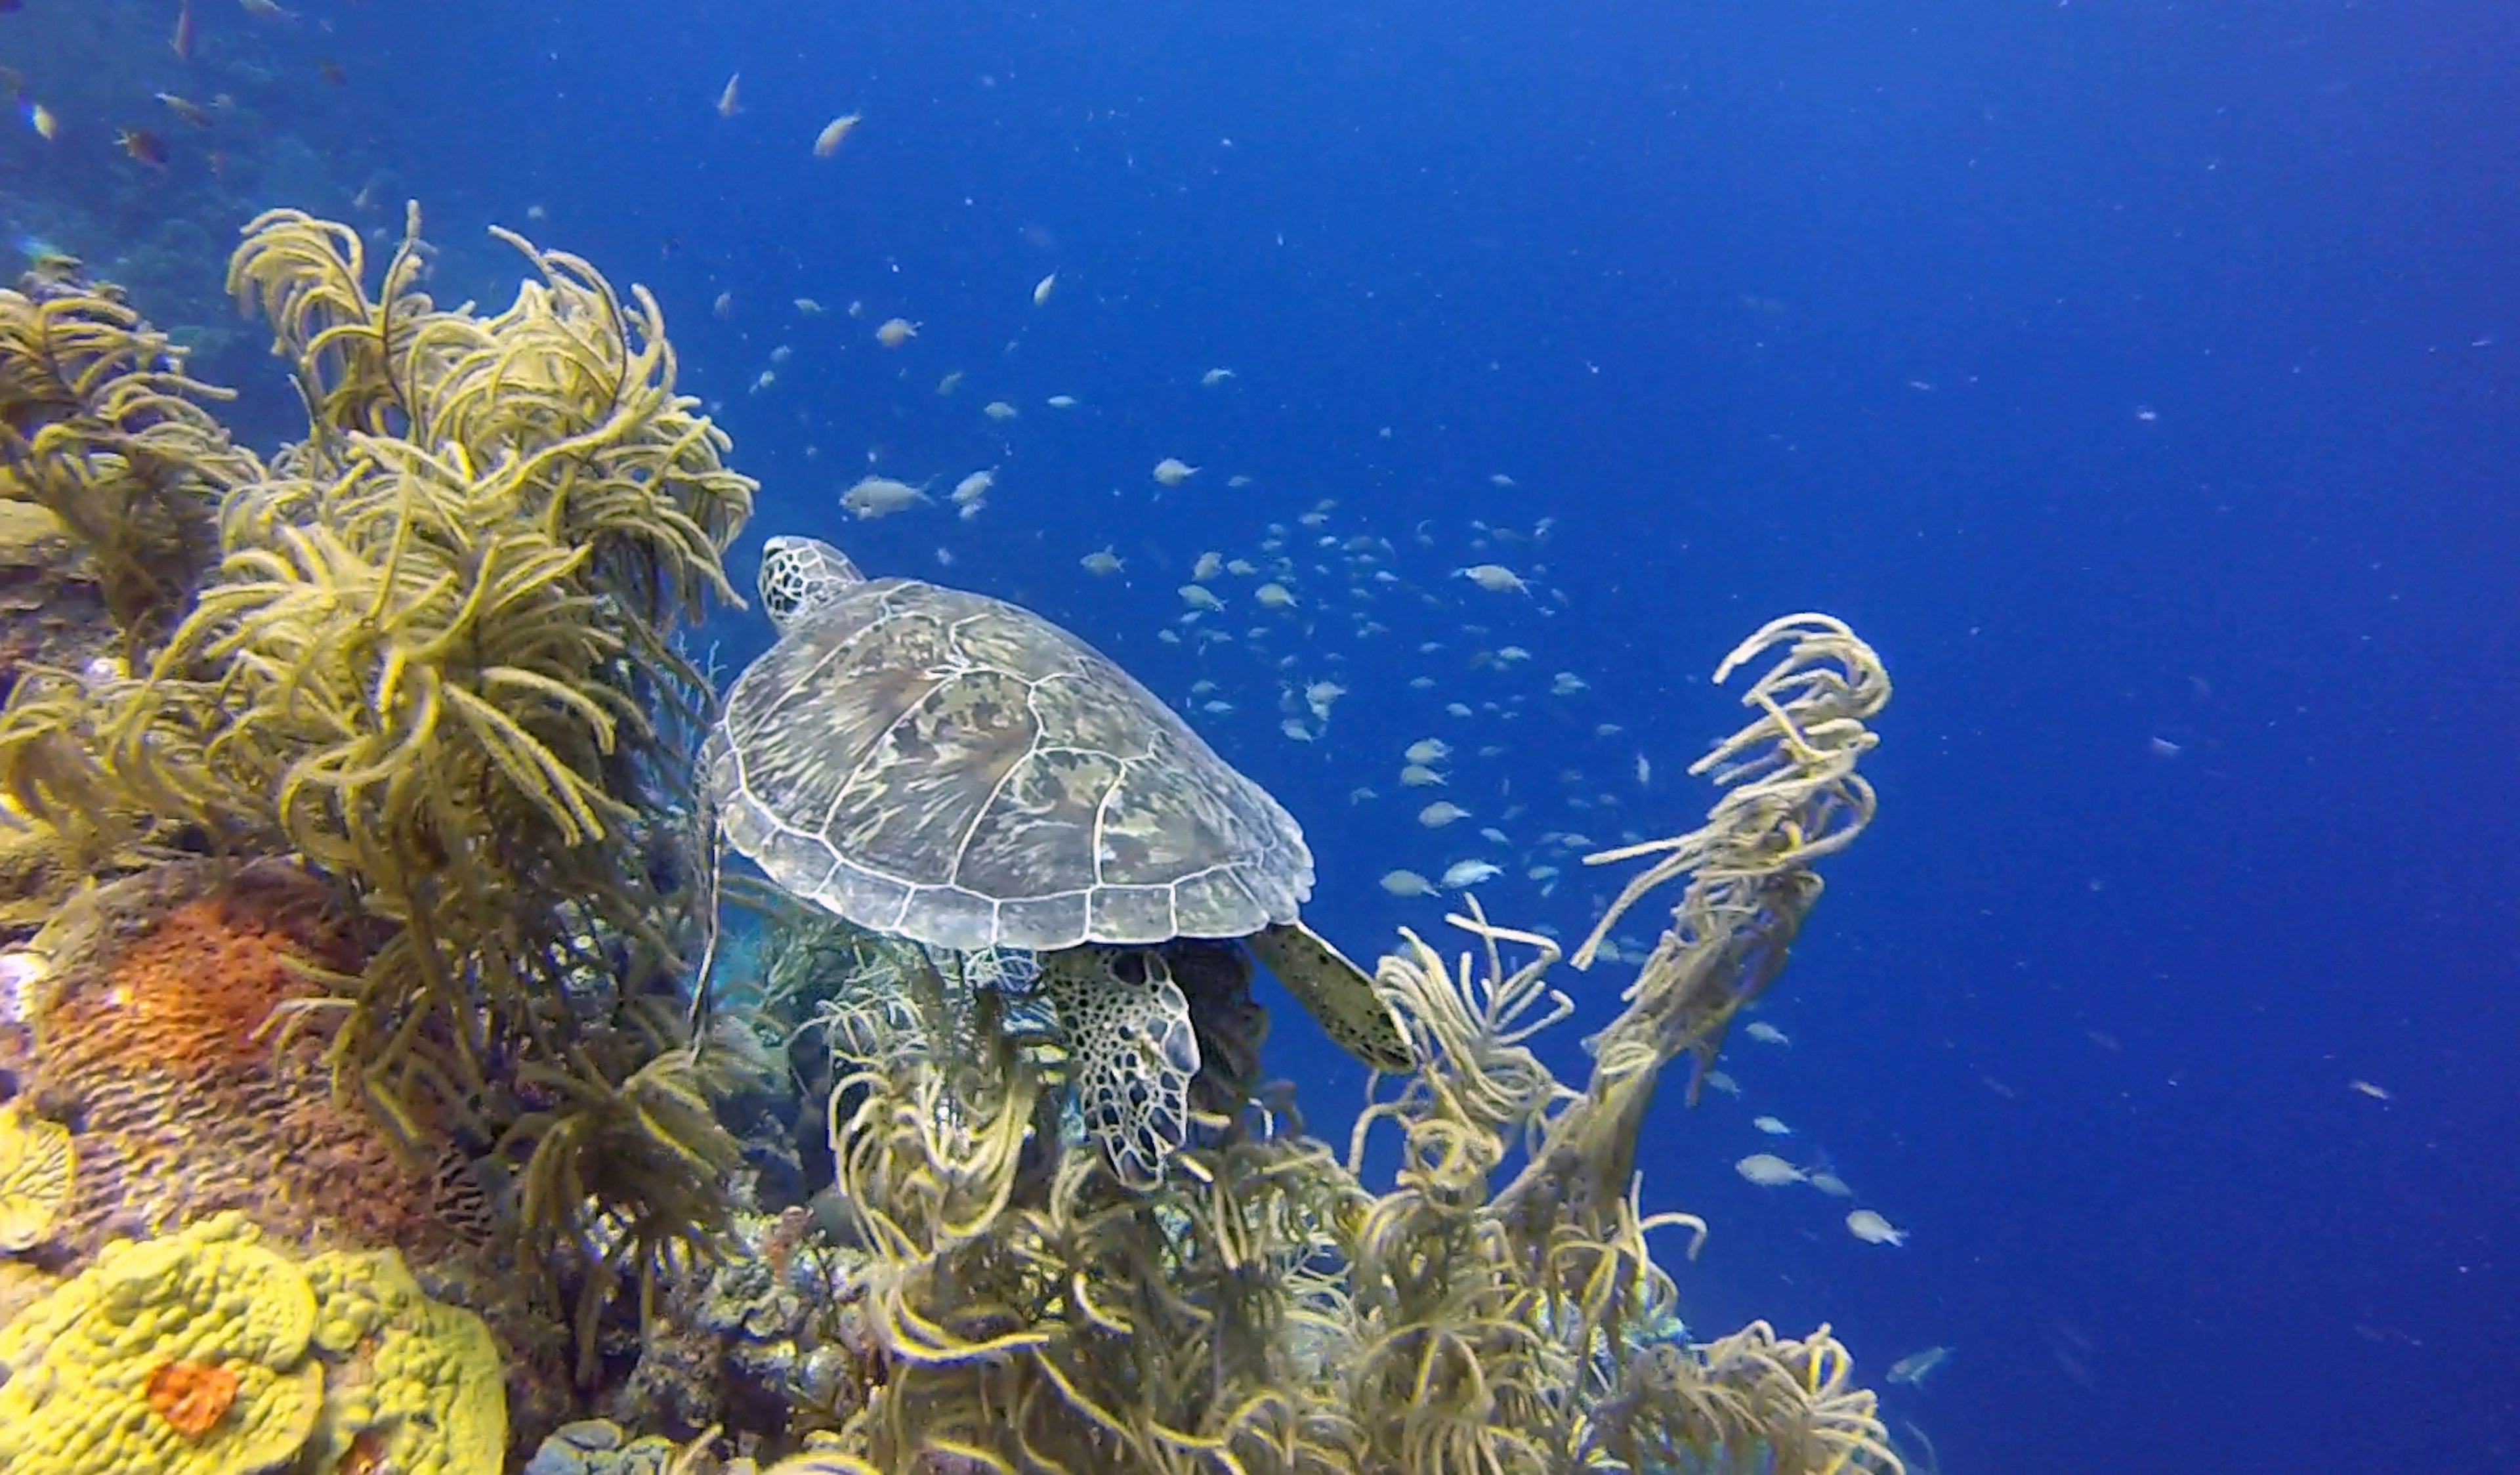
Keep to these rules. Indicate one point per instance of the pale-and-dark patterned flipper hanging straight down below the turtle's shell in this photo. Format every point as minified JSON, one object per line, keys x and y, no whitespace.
{"x":1130,"y":1055}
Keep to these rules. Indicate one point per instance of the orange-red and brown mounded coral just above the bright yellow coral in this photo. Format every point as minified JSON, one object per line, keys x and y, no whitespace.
{"x":155,"y":1038}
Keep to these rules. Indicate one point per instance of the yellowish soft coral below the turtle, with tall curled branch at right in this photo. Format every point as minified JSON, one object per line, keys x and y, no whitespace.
{"x":1266,"y":1310}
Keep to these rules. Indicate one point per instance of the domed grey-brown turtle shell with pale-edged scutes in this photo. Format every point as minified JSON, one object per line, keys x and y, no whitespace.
{"x":964,"y":773}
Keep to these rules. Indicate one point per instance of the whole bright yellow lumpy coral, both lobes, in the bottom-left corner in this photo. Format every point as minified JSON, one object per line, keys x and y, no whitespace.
{"x":210,"y":1353}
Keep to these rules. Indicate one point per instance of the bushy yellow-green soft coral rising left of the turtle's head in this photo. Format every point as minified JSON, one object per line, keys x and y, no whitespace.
{"x":437,"y":659}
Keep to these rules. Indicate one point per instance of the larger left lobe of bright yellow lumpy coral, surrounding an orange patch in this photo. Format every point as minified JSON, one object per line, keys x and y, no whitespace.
{"x":82,"y":1363}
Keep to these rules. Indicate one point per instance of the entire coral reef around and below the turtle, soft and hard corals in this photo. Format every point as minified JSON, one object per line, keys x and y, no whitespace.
{"x":349,"y":1080}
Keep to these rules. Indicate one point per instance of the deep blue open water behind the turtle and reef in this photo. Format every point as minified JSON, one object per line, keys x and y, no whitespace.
{"x":2136,"y":377}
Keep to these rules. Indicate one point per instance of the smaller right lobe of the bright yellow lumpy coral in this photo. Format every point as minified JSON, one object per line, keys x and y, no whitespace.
{"x":422,"y":1383}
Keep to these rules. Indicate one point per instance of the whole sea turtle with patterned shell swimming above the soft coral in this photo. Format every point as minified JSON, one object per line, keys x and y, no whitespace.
{"x":961,"y":773}
